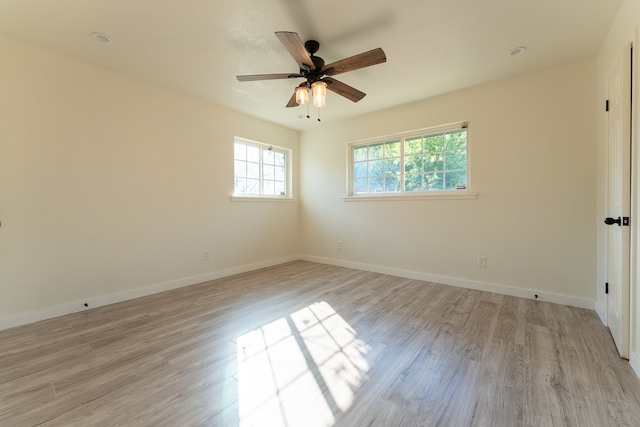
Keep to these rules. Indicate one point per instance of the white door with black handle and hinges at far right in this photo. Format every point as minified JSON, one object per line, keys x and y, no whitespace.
{"x":619,"y":200}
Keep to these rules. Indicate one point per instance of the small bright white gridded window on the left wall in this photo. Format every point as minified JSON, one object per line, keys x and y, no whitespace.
{"x":260,"y":170}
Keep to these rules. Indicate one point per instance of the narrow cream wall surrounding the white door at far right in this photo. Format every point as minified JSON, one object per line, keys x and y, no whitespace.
{"x":622,"y":32}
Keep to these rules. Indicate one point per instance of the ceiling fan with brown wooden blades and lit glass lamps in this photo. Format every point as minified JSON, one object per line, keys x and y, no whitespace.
{"x":316,"y":73}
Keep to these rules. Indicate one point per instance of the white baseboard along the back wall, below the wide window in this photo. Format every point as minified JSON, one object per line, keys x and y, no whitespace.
{"x":463,"y":283}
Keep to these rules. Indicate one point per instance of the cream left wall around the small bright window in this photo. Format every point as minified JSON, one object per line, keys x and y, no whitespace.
{"x":111,"y":188}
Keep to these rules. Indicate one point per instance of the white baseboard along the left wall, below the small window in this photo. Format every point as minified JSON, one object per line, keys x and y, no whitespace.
{"x":102,"y":300}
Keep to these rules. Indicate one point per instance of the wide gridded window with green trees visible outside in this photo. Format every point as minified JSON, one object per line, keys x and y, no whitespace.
{"x":427,"y":161}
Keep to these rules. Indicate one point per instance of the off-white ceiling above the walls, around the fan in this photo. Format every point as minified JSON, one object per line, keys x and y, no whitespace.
{"x":197,"y":47}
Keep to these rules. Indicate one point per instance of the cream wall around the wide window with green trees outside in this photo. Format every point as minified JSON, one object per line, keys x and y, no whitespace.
{"x":532,"y":150}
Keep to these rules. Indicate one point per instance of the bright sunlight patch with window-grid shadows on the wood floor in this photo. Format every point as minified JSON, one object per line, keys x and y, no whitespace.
{"x":301,"y":369}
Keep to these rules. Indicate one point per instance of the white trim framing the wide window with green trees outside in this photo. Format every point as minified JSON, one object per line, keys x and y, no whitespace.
{"x":412,"y":195}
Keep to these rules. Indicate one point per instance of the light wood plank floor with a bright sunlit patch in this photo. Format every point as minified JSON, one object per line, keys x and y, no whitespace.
{"x":305,"y":344}
